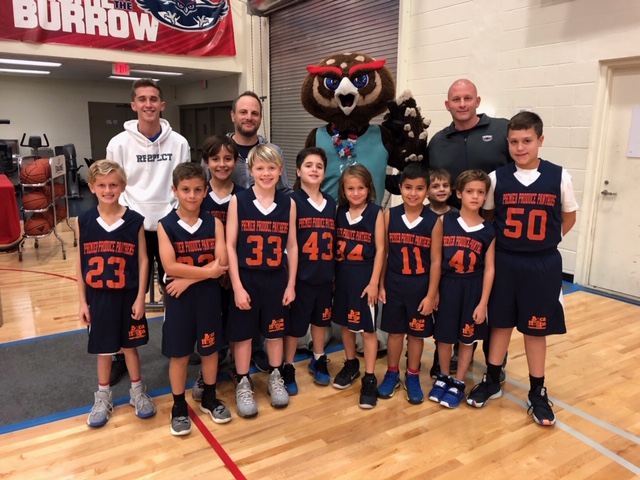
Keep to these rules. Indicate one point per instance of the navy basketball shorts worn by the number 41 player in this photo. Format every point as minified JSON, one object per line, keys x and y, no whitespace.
{"x":459,"y":297}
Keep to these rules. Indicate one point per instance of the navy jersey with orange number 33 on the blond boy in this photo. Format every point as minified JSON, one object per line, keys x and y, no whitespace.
{"x":262,"y":236}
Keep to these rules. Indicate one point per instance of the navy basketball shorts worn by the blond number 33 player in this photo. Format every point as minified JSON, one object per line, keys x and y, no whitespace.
{"x":267,"y":315}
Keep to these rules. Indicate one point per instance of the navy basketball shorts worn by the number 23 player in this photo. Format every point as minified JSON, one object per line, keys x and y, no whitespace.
{"x":112,"y":327}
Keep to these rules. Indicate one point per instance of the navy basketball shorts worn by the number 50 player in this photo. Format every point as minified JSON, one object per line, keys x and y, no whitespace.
{"x":527,"y":294}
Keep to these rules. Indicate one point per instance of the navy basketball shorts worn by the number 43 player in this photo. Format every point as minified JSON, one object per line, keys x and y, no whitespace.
{"x":313,"y":305}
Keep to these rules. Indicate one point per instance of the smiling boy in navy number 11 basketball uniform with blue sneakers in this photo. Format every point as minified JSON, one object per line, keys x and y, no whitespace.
{"x":409,"y":281}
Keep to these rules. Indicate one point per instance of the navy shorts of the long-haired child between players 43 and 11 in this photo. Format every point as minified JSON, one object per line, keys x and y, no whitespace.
{"x":349,"y":310}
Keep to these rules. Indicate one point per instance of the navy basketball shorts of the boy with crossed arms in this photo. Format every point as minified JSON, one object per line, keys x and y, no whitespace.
{"x":196,"y":316}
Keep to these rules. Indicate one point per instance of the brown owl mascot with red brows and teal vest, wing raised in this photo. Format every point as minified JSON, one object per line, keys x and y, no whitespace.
{"x":348,"y":90}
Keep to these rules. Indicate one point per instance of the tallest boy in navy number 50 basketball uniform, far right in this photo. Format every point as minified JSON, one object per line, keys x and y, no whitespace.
{"x":533,"y":206}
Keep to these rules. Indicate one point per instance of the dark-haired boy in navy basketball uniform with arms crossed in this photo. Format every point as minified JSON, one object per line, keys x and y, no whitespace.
{"x":193,"y":252}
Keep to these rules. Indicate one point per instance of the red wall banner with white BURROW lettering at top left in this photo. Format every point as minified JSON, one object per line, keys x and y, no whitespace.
{"x":201,"y":28}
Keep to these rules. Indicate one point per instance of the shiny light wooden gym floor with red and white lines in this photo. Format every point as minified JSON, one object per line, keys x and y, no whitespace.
{"x":592,"y":376}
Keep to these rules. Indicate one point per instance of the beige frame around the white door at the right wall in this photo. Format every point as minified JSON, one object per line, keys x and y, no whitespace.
{"x":595,"y":165}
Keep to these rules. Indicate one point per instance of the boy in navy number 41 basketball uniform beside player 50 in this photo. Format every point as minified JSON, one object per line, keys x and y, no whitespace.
{"x":468,"y":252}
